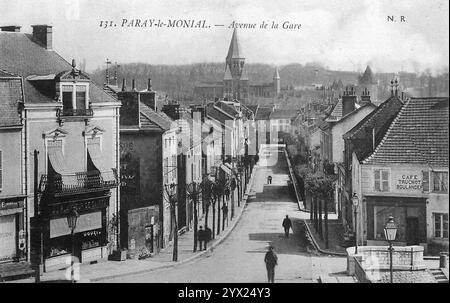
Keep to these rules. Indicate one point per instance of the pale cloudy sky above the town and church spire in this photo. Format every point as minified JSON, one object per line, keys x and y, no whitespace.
{"x":340,"y":34}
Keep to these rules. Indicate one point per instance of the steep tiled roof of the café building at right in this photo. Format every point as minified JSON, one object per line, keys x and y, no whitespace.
{"x":418,"y":135}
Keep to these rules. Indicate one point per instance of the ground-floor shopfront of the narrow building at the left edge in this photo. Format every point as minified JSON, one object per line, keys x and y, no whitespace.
{"x":12,"y":230}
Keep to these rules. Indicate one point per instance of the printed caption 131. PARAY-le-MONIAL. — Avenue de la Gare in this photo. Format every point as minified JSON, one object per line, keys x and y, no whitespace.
{"x":196,"y":23}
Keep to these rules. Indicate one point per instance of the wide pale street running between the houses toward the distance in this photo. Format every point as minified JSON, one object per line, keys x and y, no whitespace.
{"x":240,"y":258}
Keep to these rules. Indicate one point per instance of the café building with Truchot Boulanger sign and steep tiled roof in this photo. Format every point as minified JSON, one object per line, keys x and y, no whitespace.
{"x":407,"y":177}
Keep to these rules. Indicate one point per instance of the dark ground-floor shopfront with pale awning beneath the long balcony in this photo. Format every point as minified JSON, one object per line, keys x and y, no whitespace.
{"x":90,"y":234}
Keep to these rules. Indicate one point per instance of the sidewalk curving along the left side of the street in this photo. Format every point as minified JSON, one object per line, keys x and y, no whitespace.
{"x":112,"y":269}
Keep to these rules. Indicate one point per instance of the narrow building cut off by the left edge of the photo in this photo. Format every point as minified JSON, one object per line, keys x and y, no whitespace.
{"x":13,"y":220}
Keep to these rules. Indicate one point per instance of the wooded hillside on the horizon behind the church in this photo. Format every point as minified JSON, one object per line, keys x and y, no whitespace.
{"x":178,"y":81}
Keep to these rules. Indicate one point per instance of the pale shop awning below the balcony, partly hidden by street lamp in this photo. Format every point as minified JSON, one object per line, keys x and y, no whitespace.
{"x":59,"y":227}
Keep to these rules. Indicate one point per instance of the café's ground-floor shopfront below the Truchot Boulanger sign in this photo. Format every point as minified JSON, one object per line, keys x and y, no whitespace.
{"x":409,"y":214}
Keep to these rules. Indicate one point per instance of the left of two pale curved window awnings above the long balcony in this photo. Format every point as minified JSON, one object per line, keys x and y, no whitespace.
{"x":59,"y":165}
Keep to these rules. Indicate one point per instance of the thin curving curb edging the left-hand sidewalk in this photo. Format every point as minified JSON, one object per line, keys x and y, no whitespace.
{"x":210,"y":248}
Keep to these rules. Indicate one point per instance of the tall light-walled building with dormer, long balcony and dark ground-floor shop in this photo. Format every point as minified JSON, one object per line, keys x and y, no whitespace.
{"x":74,"y":125}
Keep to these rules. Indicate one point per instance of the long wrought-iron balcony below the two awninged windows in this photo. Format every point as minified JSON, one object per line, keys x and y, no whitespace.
{"x":80,"y":182}
